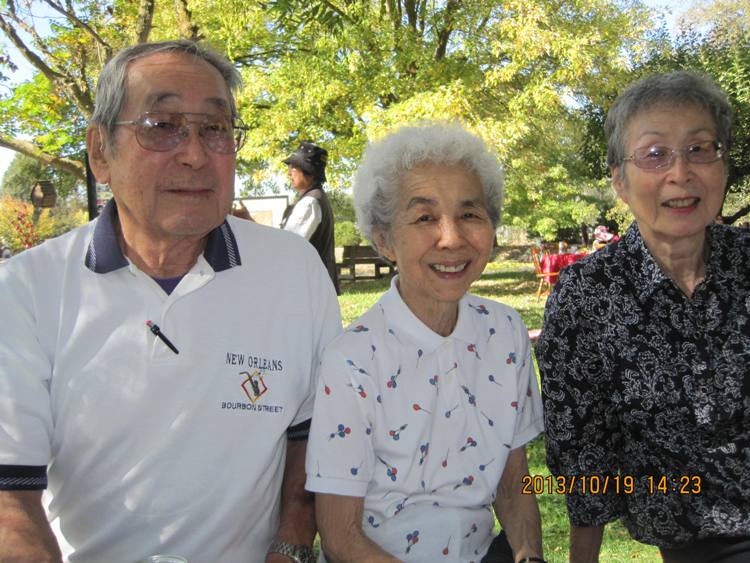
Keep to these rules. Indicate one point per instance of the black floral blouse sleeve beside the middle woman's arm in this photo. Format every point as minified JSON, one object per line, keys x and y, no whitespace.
{"x":581,"y":433}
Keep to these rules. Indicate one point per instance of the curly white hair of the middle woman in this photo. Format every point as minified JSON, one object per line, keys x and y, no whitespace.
{"x":385,"y":163}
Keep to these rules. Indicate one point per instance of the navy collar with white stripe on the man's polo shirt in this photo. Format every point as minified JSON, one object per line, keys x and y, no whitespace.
{"x":104,"y":254}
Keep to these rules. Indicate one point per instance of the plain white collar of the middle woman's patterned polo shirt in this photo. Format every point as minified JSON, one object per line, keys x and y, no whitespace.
{"x":403,"y":321}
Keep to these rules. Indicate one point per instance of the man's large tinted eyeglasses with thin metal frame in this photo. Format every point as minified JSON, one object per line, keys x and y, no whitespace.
{"x":163,"y":131}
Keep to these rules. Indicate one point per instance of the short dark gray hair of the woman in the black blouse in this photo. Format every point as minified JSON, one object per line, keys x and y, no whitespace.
{"x":673,"y":89}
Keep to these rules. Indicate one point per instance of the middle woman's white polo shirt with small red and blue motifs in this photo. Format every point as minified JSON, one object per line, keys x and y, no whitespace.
{"x":420,"y":425}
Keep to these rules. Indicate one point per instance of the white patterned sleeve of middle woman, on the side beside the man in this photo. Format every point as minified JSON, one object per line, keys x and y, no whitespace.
{"x":340,"y":452}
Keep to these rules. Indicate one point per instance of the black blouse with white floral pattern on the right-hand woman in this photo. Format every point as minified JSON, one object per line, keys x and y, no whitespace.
{"x":647,"y":392}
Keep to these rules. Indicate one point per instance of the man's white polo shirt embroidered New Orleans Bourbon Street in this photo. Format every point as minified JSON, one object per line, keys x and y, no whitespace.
{"x":149,"y":451}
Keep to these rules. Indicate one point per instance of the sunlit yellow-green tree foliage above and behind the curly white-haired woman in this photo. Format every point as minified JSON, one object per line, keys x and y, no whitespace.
{"x":511,"y":70}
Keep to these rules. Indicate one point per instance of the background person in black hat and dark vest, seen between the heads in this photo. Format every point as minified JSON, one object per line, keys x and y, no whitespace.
{"x":311,"y":215}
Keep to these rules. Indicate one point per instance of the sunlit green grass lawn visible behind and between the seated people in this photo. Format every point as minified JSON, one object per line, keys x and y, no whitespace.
{"x":514,"y":284}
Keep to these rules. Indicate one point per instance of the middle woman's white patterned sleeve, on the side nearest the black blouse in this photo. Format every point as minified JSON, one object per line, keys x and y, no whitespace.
{"x":530,"y":420}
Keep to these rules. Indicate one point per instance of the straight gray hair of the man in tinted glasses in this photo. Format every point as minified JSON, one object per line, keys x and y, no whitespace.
{"x":111,"y":91}
